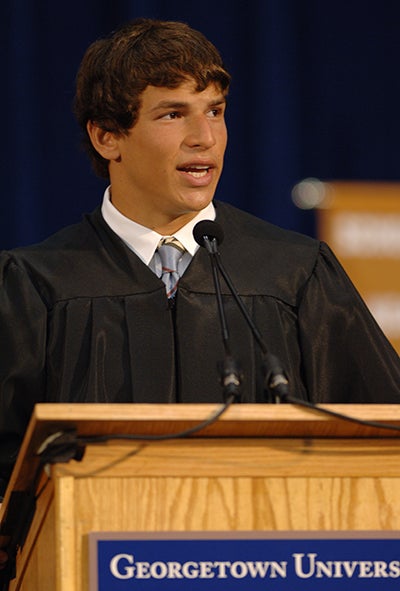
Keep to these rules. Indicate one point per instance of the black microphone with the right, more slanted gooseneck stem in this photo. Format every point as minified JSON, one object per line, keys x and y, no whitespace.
{"x":209,"y":234}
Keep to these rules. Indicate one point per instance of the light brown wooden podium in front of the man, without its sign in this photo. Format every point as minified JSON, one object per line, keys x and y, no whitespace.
{"x":258,"y":468}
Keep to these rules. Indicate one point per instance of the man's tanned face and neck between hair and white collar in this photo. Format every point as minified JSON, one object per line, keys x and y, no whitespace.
{"x":170,"y":162}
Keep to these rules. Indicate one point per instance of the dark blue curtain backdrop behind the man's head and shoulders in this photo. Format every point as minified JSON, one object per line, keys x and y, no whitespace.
{"x":315,"y":92}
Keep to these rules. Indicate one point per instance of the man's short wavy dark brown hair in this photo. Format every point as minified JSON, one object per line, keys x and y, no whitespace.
{"x":116,"y":70}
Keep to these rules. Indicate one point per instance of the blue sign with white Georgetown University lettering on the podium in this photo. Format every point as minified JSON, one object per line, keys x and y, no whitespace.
{"x":245,"y":561}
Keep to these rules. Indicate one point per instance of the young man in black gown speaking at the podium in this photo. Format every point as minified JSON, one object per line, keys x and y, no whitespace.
{"x":85,"y":317}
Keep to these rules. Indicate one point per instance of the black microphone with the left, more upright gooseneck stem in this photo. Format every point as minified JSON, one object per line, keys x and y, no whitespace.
{"x":207,"y":236}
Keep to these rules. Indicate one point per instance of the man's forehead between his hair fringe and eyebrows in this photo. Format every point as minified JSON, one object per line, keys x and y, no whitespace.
{"x":154,"y":97}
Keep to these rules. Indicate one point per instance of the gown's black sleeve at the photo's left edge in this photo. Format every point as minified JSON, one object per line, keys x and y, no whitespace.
{"x":23,"y":322}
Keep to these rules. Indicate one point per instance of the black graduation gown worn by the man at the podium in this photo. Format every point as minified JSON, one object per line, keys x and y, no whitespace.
{"x":82,"y":319}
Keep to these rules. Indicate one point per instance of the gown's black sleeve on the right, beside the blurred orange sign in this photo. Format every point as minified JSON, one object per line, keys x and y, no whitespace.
{"x":354,"y":361}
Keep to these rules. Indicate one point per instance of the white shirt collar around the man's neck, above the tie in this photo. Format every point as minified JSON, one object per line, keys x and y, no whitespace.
{"x":144,"y":241}
